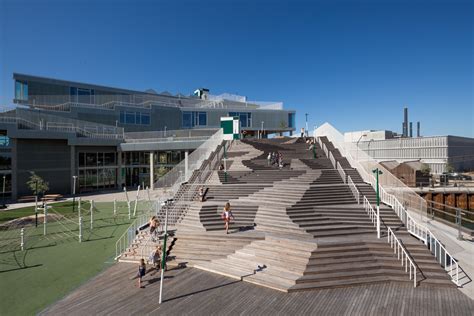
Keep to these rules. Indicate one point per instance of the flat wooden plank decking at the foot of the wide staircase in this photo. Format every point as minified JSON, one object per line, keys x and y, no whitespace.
{"x":191,"y":291}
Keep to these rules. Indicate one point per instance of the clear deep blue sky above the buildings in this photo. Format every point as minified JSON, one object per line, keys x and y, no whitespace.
{"x":355,"y":64}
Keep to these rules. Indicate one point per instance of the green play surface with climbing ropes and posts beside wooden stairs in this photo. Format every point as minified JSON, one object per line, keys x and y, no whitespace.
{"x":53,"y":265}
